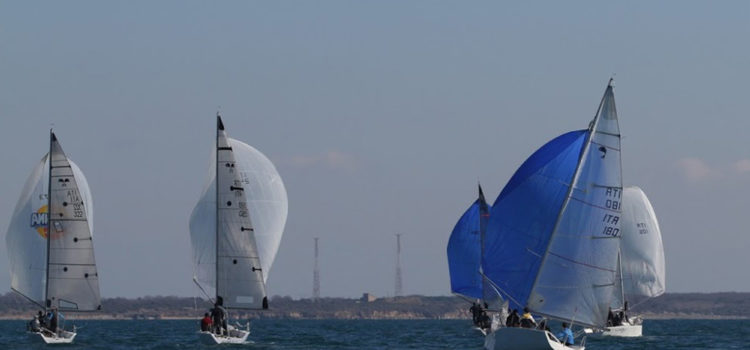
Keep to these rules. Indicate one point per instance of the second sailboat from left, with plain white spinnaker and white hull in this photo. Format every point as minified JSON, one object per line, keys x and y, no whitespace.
{"x":236,"y":229}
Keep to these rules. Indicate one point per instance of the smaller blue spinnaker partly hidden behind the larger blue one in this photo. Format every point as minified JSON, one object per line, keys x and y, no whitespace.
{"x":465,"y":250}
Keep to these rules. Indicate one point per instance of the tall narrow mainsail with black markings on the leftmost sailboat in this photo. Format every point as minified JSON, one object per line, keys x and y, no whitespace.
{"x":73,"y":281}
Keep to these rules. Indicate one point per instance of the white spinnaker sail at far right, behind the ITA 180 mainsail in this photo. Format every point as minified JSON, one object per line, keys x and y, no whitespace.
{"x":643,"y":266}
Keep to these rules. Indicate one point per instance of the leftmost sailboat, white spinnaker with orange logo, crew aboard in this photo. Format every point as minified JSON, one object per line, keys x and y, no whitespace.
{"x":50,"y":245}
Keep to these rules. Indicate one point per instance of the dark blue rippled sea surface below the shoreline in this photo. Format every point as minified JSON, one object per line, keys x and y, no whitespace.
{"x":368,"y":334}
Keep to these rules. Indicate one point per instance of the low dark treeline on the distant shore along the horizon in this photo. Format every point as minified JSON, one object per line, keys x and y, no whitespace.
{"x":409,"y":307}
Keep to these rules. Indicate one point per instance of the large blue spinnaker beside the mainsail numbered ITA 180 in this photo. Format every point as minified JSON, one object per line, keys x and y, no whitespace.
{"x":524,"y":216}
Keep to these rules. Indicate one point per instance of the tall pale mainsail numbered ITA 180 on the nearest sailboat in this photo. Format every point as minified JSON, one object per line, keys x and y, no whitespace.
{"x":577,"y":275}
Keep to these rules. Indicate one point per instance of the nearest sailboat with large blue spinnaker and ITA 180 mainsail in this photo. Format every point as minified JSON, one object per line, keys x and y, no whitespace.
{"x":553,"y":235}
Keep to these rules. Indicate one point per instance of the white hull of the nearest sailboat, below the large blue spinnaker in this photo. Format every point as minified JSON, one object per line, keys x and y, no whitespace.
{"x":511,"y":338}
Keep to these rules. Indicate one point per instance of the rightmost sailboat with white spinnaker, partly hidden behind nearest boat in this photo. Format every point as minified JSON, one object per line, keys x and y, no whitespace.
{"x":641,"y":263}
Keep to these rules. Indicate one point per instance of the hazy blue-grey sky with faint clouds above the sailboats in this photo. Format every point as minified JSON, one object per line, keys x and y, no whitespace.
{"x":380,"y":116}
